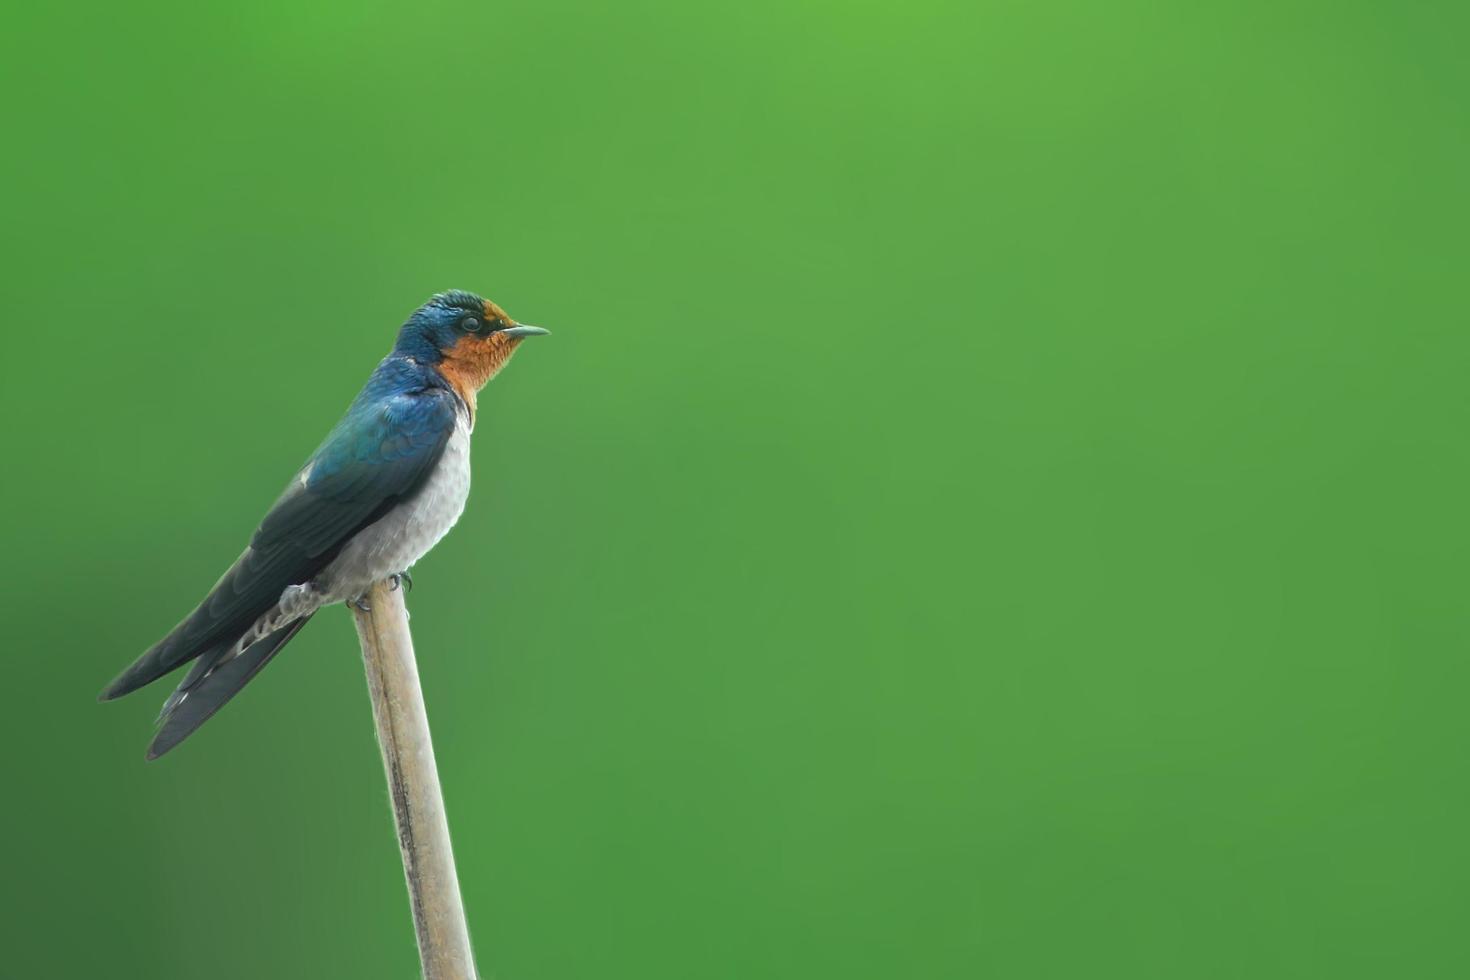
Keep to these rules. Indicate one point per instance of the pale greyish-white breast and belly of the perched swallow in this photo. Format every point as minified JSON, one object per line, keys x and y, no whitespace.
{"x":411,"y":530}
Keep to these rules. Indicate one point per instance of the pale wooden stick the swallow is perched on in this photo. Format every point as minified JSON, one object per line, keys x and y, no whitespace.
{"x":414,"y":784}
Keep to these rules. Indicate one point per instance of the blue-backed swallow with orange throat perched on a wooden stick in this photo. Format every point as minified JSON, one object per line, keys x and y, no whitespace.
{"x":384,"y":487}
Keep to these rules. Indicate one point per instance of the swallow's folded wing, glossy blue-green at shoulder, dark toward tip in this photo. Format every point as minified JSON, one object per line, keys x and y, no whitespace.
{"x":379,"y":456}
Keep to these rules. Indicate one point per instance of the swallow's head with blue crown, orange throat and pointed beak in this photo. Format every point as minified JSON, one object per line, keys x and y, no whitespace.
{"x":468,"y":340}
